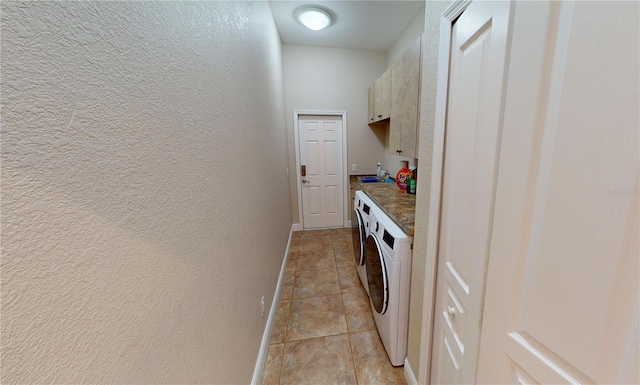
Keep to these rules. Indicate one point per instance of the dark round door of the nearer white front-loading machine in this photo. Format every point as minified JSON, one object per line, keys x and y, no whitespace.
{"x":377,"y":276}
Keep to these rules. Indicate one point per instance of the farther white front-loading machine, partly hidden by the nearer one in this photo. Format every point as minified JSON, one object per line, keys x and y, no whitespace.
{"x":360,"y":231}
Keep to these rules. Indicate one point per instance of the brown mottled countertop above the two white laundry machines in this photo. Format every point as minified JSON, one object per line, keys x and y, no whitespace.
{"x":397,"y":204}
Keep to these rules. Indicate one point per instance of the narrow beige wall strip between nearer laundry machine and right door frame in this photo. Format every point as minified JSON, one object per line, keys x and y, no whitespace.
{"x":430,"y":57}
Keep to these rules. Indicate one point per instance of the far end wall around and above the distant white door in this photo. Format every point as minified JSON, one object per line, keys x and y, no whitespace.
{"x":321,"y":78}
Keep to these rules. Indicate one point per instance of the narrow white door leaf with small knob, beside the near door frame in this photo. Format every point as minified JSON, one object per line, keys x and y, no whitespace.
{"x":478,"y":49}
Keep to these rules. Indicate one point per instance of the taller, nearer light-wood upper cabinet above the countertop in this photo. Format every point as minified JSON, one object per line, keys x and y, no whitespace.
{"x":405,"y":90}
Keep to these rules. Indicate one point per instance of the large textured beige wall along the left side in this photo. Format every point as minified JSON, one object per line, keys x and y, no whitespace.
{"x":145,"y":205}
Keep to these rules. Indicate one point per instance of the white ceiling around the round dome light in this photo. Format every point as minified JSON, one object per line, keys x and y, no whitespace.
{"x":359,"y":24}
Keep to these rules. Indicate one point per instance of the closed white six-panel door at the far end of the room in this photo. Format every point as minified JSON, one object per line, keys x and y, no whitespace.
{"x":320,"y":141}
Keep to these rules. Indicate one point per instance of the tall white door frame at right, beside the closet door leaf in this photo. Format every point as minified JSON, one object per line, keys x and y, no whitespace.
{"x":448,"y":17}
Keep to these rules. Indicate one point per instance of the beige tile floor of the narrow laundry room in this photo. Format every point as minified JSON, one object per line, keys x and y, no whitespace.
{"x":324,"y":332}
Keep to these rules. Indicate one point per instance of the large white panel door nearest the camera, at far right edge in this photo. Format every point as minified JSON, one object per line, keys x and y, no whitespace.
{"x":562,"y":301}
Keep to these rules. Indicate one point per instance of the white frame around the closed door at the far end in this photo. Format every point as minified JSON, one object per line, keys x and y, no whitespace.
{"x":345,"y":175}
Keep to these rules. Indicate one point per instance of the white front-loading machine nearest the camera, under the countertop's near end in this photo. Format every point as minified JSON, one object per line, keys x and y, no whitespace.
{"x":388,"y":252}
